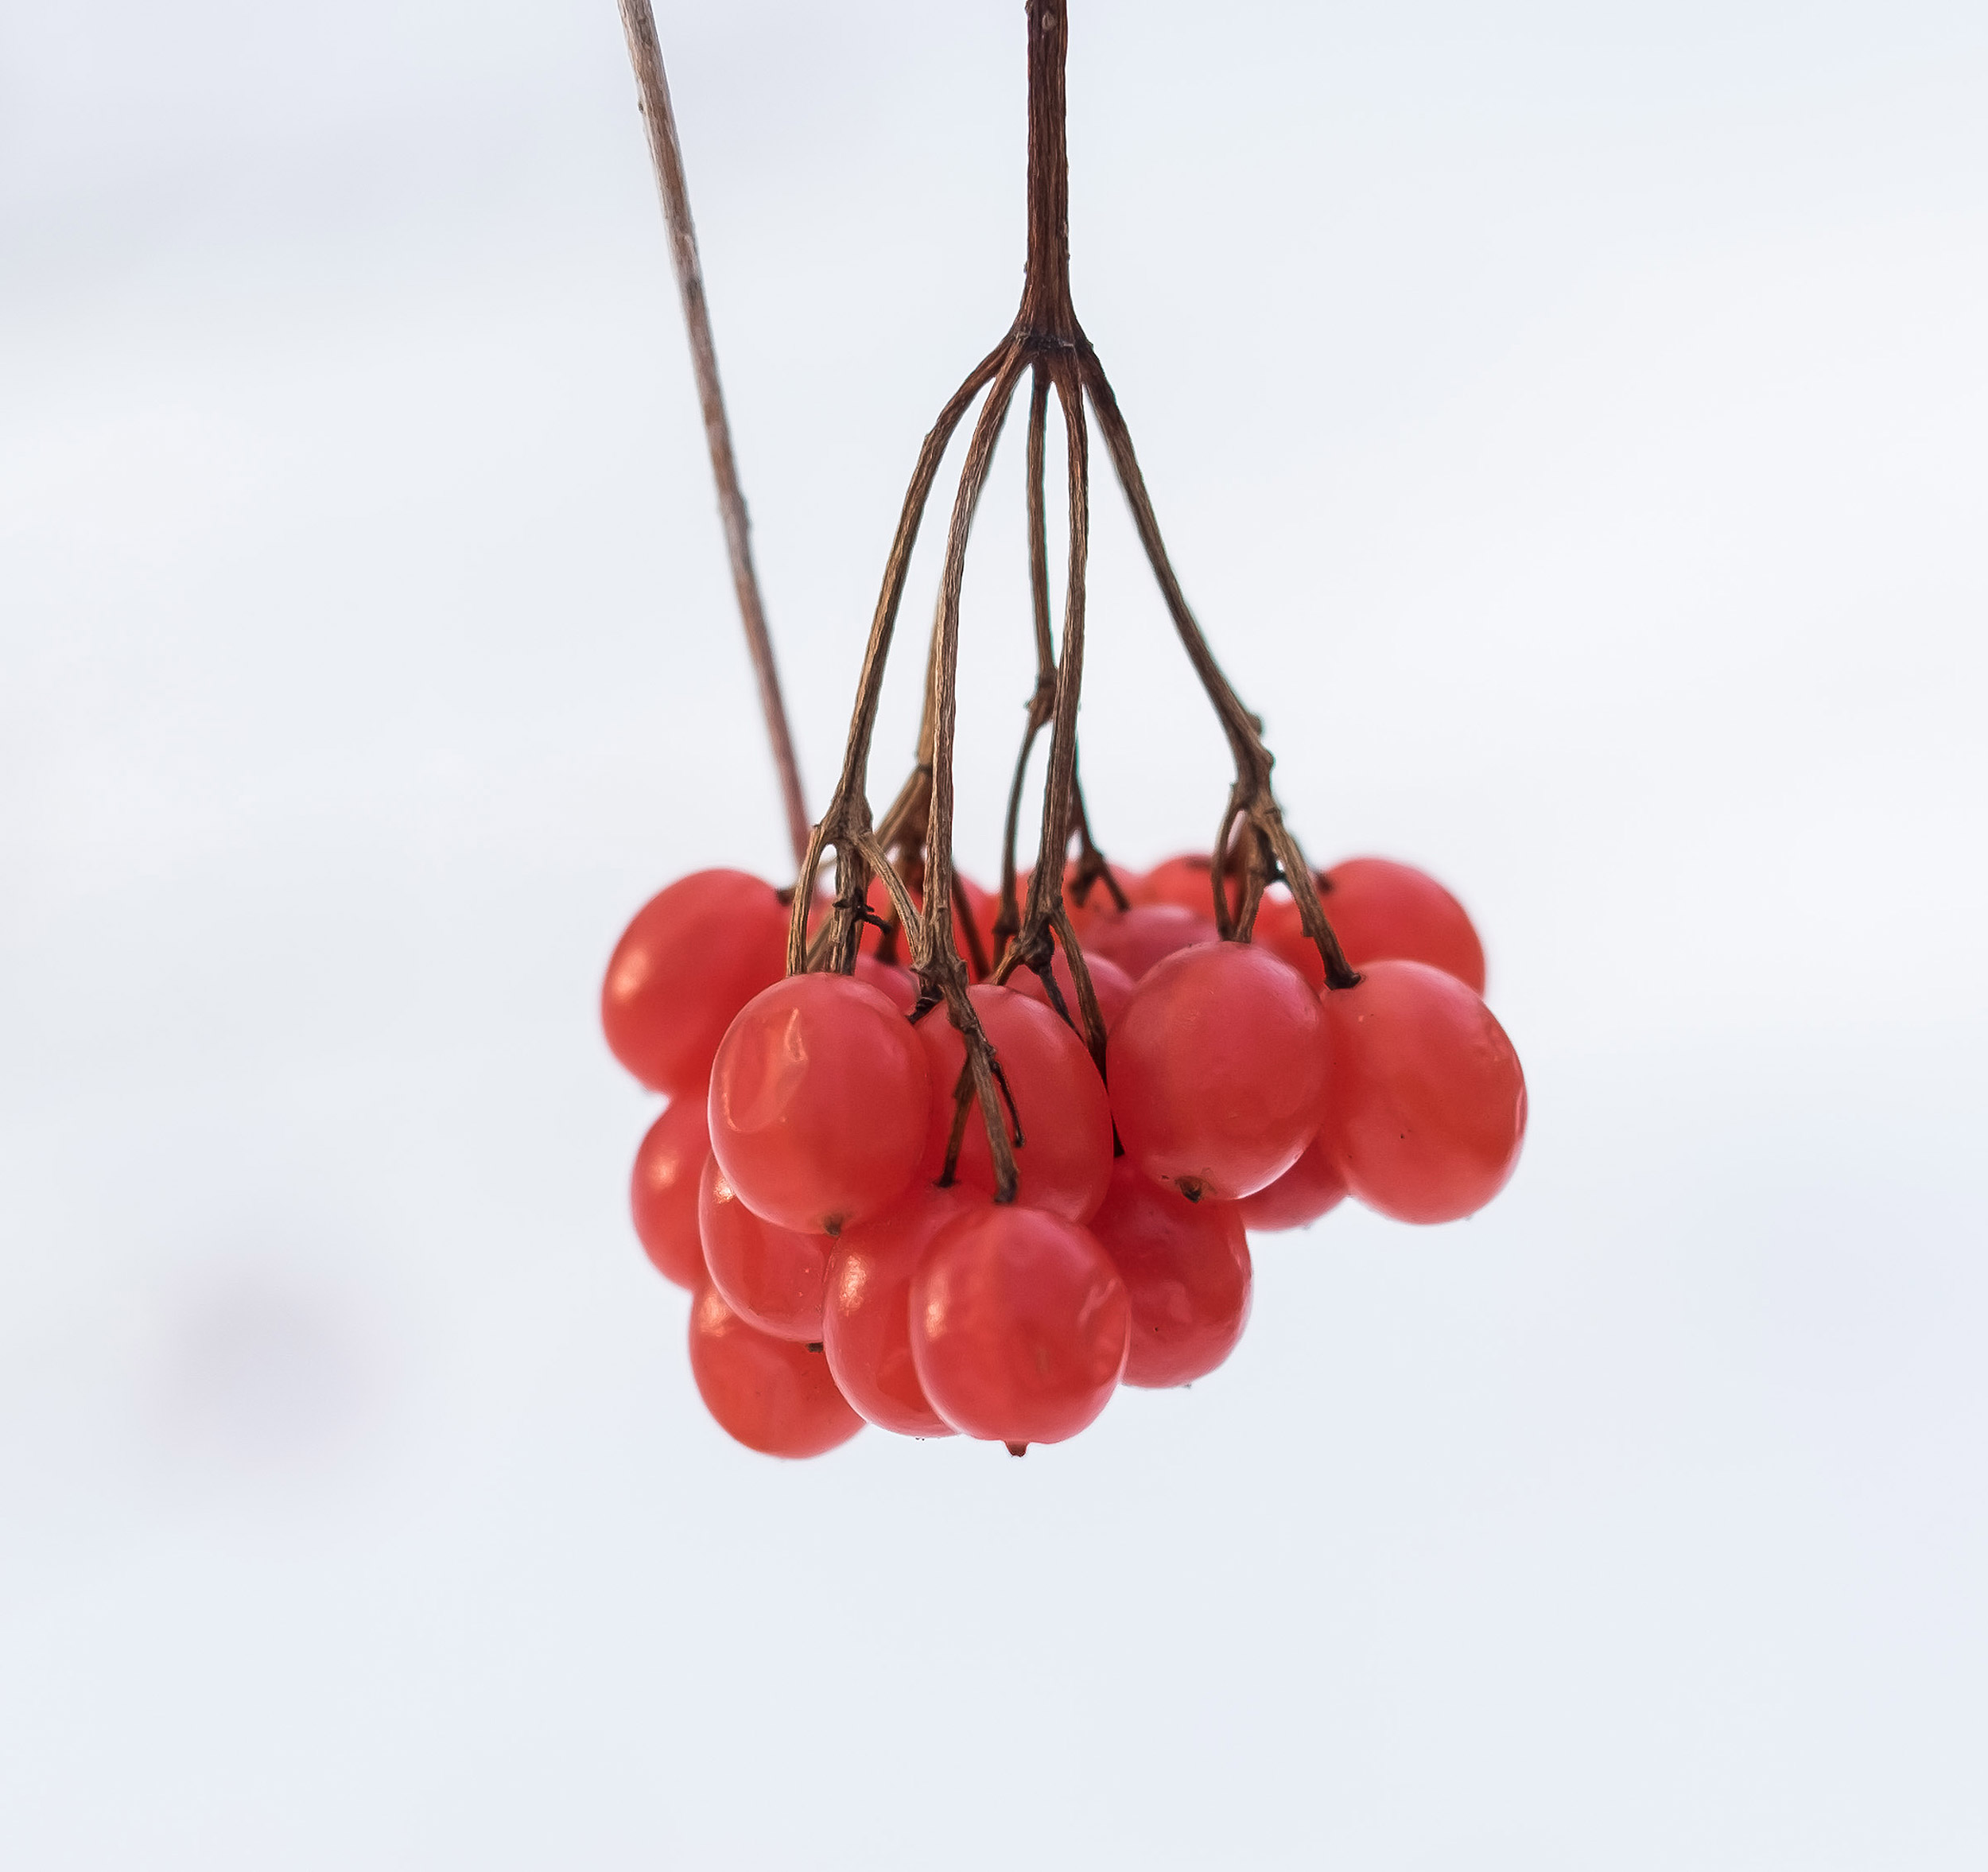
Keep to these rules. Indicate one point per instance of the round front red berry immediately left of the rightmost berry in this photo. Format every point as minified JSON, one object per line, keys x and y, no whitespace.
{"x":1218,"y":1068}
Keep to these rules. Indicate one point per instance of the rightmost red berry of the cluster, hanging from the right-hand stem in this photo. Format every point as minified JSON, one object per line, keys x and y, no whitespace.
{"x":1426,"y":1112}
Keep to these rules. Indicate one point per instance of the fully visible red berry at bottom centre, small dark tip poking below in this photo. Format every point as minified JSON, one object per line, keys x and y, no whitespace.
{"x":1019,"y":1326}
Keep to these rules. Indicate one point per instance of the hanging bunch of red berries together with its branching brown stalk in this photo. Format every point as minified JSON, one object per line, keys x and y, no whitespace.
{"x":963,"y":1162}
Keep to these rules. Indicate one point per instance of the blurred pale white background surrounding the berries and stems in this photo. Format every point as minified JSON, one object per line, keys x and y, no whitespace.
{"x":1570,"y":424}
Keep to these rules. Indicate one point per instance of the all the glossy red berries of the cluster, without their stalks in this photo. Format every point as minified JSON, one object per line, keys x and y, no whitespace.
{"x":796,"y":1181}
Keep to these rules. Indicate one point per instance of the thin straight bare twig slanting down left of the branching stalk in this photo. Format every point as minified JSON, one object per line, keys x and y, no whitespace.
{"x":653,"y":90}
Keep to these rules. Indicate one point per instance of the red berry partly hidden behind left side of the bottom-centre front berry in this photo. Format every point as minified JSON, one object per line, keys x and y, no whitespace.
{"x":868,"y":1319}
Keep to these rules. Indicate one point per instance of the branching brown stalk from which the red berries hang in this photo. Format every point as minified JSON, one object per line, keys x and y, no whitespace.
{"x":911,"y":850}
